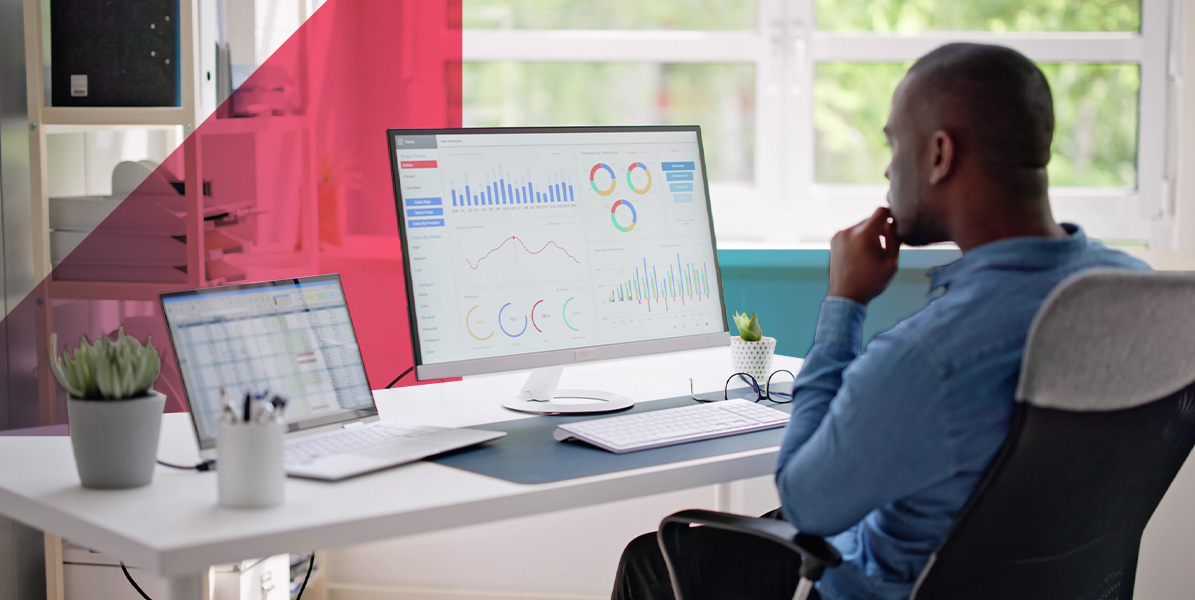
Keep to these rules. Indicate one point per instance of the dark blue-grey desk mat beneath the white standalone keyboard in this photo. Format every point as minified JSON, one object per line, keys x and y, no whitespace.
{"x":530,"y":455}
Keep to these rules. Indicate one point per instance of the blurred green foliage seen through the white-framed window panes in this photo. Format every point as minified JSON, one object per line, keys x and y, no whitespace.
{"x":1096,"y":106}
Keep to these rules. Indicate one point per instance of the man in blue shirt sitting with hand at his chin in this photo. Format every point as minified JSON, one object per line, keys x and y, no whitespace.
{"x":885,"y":449}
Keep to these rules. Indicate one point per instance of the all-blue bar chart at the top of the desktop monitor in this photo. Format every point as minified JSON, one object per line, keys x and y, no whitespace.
{"x":499,"y":188}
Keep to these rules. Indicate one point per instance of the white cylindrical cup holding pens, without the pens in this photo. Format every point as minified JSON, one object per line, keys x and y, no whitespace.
{"x":249,"y":466}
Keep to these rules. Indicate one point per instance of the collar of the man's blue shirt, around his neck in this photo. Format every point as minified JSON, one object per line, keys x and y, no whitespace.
{"x":1020,"y":253}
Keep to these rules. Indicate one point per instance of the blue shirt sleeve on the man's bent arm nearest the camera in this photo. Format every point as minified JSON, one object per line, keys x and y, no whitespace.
{"x":866,"y":430}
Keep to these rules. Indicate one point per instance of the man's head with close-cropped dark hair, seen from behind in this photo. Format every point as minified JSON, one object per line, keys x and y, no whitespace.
{"x":971,"y":131}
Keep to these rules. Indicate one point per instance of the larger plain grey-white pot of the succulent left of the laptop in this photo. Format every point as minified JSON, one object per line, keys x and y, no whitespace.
{"x":115,"y":443}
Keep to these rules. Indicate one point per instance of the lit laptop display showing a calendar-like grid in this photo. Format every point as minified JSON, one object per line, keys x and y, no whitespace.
{"x":287,"y":338}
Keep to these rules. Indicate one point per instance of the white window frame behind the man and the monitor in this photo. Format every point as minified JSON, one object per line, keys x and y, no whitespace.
{"x":786,"y":48}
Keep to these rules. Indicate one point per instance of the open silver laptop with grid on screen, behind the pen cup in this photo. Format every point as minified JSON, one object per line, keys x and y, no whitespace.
{"x":293,"y":339}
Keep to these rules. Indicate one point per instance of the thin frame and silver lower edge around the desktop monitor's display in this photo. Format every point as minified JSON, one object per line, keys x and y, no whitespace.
{"x":568,"y":356}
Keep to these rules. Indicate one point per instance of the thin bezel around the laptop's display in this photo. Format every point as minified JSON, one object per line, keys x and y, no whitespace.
{"x":342,"y":417}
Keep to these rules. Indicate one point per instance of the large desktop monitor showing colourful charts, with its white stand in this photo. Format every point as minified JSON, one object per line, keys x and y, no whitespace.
{"x":537,"y":248}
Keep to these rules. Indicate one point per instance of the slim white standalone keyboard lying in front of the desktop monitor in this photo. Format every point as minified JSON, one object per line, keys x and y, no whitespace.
{"x":644,"y":431}
